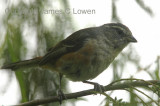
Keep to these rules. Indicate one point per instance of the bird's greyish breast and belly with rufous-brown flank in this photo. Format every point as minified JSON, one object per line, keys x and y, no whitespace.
{"x":86,"y":63}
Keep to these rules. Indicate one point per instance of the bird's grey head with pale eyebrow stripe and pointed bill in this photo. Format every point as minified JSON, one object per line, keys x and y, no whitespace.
{"x":118,"y":34}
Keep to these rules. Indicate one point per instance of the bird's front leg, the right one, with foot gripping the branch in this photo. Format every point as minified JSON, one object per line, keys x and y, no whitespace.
{"x":97,"y":87}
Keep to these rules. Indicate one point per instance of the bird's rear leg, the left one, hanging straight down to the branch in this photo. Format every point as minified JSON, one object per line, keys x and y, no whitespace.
{"x":60,"y":92}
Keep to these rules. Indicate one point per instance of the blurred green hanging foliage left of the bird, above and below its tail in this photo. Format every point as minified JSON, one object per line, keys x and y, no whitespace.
{"x":23,"y":22}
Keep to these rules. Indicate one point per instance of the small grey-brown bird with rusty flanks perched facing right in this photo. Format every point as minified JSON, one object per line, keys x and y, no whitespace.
{"x":84,"y":54}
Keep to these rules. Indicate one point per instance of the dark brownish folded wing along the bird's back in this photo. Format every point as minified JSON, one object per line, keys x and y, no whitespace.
{"x":71,"y":44}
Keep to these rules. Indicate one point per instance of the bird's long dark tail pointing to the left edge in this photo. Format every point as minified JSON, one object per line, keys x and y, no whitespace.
{"x":23,"y":64}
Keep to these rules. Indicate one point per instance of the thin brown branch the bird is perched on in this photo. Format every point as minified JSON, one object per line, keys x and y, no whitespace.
{"x":138,"y":83}
